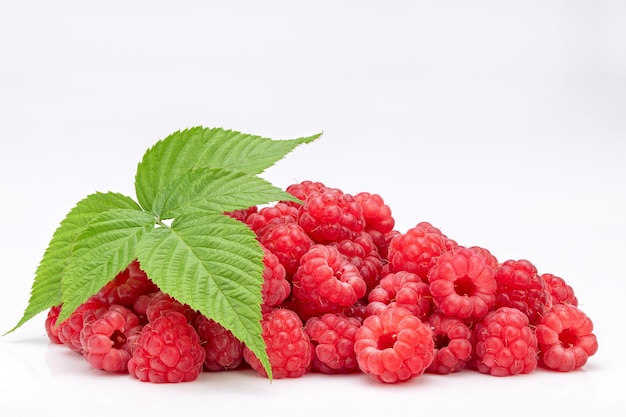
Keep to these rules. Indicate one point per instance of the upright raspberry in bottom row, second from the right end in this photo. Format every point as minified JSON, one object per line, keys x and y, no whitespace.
{"x":505,"y":343}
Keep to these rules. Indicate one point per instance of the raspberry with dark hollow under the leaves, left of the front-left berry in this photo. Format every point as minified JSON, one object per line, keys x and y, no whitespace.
{"x":108,"y":342}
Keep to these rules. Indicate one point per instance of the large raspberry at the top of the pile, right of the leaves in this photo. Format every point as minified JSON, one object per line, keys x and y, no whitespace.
{"x":330,"y":215}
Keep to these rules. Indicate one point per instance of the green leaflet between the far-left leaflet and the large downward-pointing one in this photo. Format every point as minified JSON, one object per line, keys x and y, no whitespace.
{"x":104,"y":248}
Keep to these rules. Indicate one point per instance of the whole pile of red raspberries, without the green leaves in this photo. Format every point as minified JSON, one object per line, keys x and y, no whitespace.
{"x":345,"y":292}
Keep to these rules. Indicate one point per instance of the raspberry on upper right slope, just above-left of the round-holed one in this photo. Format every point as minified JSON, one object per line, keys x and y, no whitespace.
{"x":416,"y":250}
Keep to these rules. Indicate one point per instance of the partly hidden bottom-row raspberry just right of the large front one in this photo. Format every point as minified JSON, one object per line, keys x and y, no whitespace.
{"x":453,"y":344}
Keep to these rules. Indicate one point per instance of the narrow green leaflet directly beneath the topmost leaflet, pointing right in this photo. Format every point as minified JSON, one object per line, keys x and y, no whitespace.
{"x":218,"y":190}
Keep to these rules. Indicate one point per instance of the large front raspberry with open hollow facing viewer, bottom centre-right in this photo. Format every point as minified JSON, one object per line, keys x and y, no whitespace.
{"x":394,"y":346}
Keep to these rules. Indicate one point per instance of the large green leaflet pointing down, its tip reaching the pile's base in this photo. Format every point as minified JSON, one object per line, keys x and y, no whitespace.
{"x":214,"y":264}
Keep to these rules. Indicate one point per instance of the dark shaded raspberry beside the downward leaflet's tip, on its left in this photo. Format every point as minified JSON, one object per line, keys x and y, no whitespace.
{"x":223,"y":350}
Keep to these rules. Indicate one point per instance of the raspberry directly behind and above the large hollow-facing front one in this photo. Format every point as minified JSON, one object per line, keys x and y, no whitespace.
{"x":404,"y":289}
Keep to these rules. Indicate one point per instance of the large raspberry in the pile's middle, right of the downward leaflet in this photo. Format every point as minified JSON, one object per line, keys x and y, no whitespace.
{"x":326,"y":275}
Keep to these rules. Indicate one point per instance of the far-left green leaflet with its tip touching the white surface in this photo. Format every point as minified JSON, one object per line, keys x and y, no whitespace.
{"x":46,"y":287}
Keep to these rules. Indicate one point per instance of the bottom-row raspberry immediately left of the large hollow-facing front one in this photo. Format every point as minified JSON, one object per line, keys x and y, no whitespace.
{"x":333,"y":336}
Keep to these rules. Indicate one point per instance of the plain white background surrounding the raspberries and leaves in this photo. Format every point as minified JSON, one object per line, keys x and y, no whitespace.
{"x":502,"y":123}
